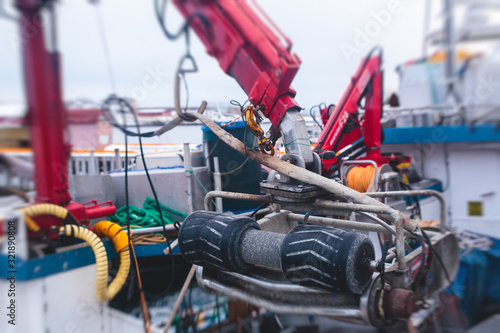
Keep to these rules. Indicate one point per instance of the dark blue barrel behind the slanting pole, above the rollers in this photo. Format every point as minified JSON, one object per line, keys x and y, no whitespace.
{"x":239,"y":174}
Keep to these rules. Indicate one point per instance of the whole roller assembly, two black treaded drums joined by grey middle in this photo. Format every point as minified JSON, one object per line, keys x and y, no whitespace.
{"x":313,"y":256}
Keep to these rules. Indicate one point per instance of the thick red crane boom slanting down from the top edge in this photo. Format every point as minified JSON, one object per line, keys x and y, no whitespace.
{"x":248,"y":50}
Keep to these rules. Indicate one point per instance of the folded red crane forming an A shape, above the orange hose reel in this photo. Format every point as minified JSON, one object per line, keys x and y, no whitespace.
{"x":344,"y":127}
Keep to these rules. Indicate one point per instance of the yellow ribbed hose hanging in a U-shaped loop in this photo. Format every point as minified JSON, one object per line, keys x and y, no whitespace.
{"x":103,"y":291}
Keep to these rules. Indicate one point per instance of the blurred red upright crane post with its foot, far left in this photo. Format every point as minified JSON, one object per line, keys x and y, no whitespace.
{"x":47,"y":119}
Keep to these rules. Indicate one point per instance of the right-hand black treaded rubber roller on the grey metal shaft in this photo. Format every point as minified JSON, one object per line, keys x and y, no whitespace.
{"x":327,"y":258}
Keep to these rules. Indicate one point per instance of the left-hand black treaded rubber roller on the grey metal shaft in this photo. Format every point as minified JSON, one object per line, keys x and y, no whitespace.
{"x":213,"y":240}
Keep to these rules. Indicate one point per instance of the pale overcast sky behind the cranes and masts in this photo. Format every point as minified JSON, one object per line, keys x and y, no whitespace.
{"x":321,"y":30}
